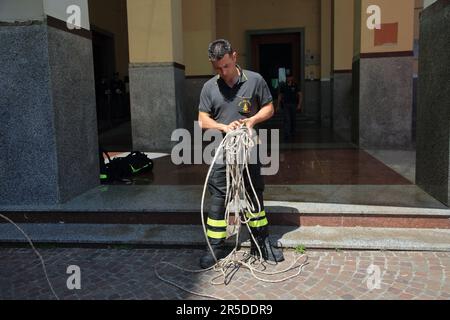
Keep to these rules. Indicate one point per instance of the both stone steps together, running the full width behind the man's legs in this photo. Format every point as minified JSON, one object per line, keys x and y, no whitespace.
{"x":158,"y":218}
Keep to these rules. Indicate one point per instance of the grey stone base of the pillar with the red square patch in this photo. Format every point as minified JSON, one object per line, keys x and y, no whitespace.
{"x":385,"y":91}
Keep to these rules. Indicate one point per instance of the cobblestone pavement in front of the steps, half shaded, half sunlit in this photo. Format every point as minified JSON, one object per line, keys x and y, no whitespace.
{"x":129,"y":274}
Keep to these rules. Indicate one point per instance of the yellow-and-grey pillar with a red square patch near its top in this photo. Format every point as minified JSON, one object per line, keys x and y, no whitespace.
{"x":383,"y":69}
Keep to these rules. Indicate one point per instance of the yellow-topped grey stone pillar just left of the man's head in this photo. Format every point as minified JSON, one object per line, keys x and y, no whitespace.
{"x":156,"y":72}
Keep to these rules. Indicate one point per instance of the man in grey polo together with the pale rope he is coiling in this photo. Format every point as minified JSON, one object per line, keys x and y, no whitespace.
{"x":234,"y":102}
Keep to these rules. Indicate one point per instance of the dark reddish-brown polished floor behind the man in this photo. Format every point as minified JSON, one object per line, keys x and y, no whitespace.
{"x":297,"y":167}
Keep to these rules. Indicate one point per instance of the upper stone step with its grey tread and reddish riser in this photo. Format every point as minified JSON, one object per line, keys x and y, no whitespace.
{"x":180,"y":205}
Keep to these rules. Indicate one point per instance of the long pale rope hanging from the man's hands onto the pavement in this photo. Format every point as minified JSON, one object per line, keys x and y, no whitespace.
{"x":236,"y":146}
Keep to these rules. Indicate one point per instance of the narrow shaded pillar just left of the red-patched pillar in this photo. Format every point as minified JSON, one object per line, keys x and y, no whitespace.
{"x":342,"y":67}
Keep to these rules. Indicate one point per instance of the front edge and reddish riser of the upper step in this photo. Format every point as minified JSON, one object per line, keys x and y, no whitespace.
{"x":318,"y":215}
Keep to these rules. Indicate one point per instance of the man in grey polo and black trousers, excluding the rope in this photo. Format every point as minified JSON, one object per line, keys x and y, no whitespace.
{"x":233,"y":98}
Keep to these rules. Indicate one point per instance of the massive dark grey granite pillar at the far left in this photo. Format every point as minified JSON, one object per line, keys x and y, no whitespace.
{"x":49,"y":143}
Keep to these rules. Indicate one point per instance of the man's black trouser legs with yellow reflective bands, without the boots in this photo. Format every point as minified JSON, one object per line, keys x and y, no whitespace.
{"x":217,"y":189}
